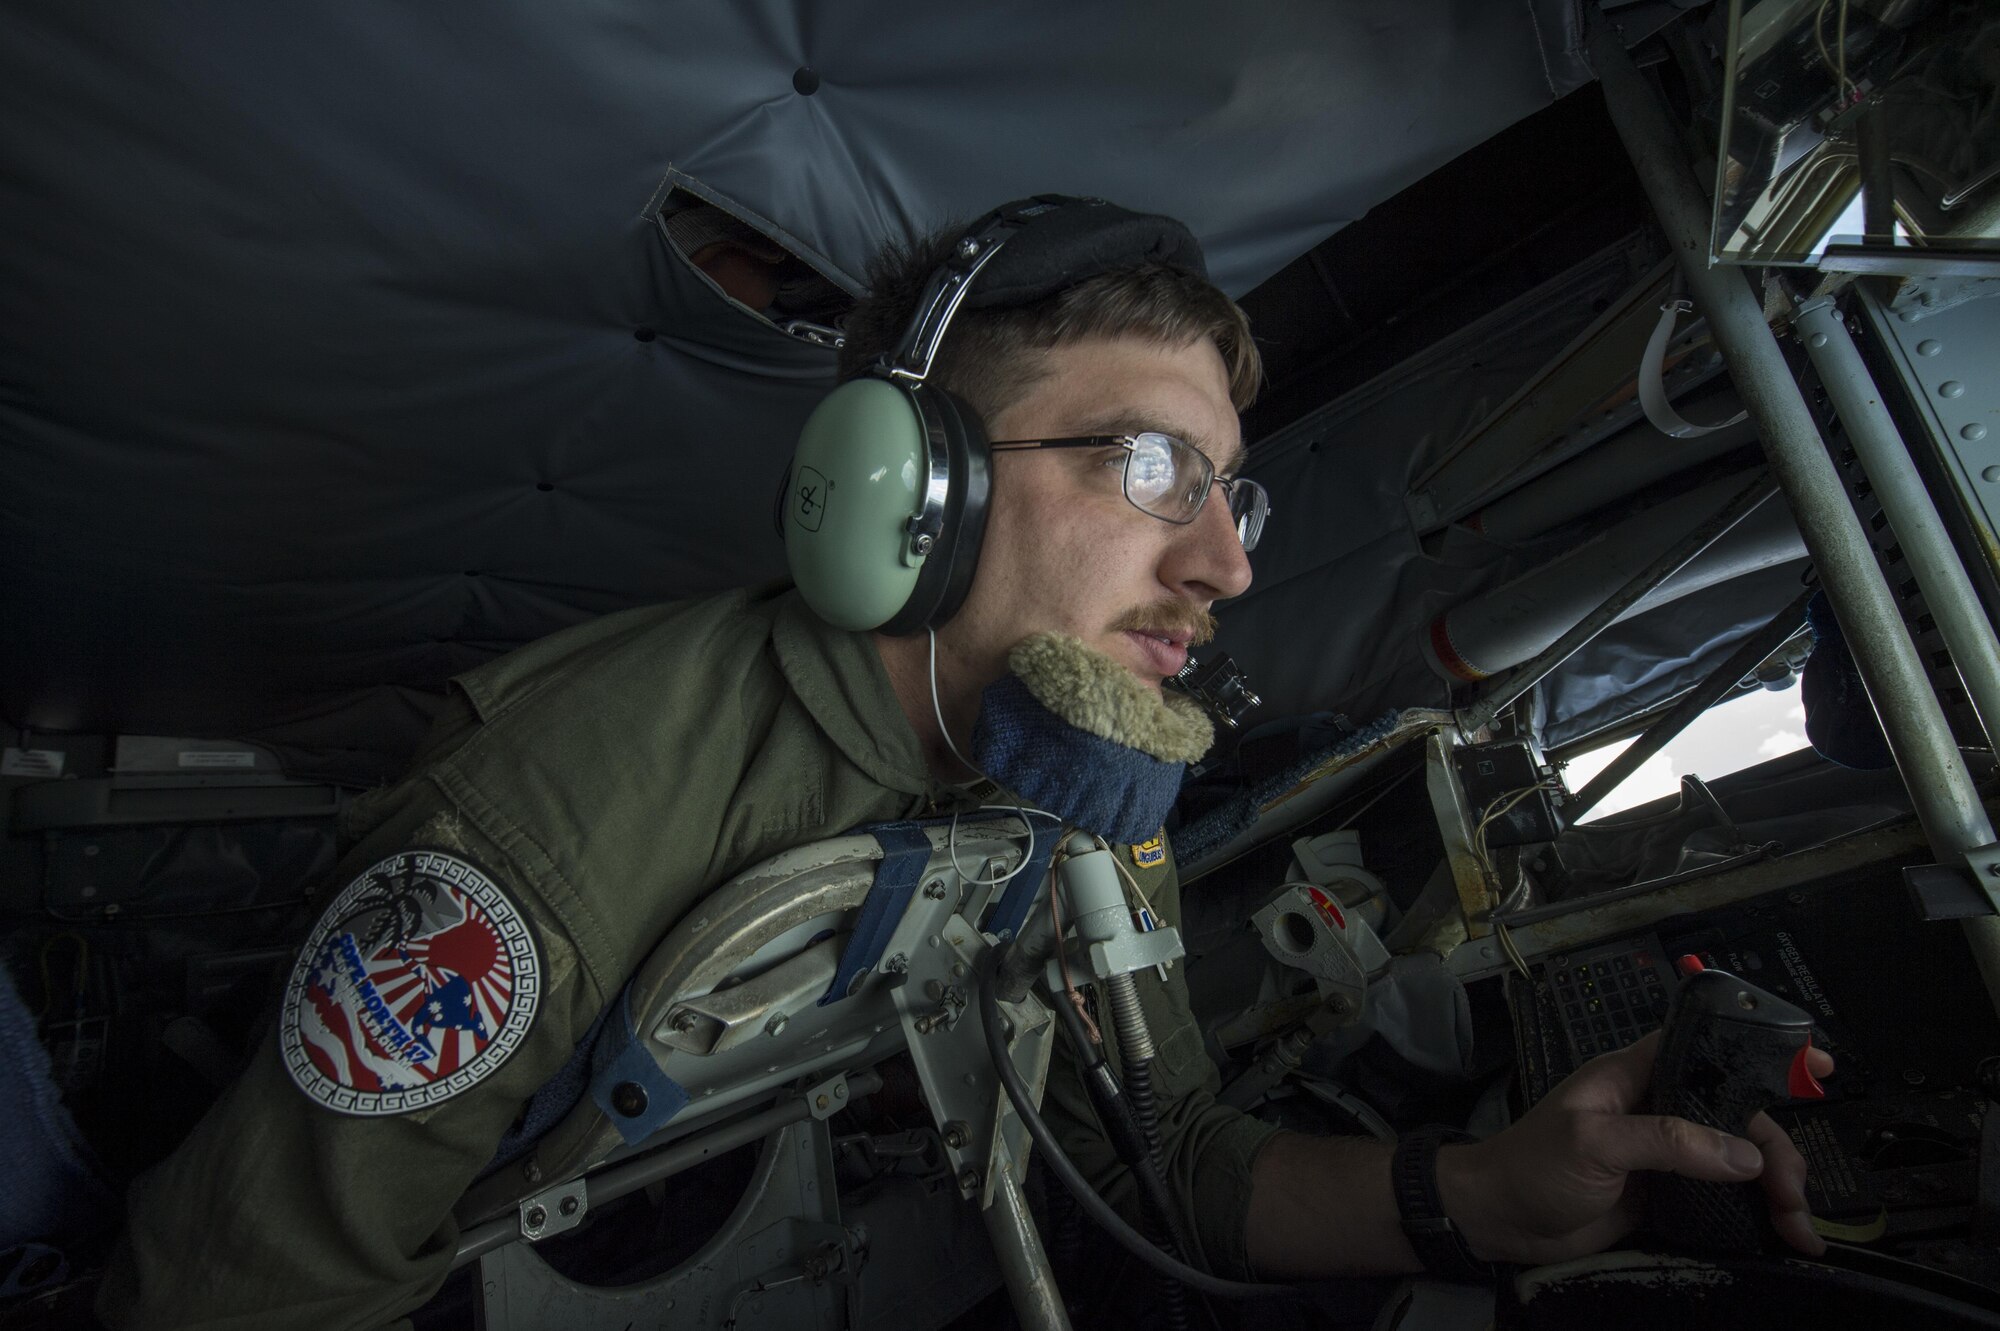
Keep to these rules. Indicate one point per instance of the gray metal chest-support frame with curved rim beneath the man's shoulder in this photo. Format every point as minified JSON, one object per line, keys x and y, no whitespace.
{"x":729,"y":1006}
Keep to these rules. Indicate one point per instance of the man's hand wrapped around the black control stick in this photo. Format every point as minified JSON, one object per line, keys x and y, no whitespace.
{"x":1563,"y":1180}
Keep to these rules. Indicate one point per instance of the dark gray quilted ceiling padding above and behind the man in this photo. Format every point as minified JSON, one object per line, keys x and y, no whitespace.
{"x":339,"y":347}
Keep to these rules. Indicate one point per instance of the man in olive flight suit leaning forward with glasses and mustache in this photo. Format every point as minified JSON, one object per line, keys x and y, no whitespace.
{"x":577,"y":796}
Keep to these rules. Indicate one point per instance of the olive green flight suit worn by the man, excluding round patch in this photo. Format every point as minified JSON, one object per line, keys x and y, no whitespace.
{"x":603,"y":780}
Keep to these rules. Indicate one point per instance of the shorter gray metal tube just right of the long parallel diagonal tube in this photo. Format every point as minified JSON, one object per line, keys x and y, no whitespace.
{"x":1949,"y":595}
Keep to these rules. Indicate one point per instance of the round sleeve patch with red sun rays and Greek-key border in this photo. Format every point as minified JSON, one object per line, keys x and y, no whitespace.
{"x":419,"y":982}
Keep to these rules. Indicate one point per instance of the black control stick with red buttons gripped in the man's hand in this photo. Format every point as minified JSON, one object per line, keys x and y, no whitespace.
{"x":1729,"y":1052}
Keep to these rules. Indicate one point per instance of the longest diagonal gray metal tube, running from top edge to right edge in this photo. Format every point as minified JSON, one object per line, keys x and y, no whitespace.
{"x":1941,"y":788}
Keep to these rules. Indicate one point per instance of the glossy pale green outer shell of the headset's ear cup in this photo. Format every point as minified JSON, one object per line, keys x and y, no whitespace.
{"x":859,"y":479}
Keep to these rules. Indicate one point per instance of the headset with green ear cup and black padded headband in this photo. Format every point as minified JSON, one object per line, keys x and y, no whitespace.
{"x":885,"y":505}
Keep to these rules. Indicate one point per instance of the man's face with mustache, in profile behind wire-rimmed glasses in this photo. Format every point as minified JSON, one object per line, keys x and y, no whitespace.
{"x":1067,"y":553}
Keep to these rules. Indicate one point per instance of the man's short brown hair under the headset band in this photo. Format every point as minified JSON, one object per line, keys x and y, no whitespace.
{"x":995,"y":357}
